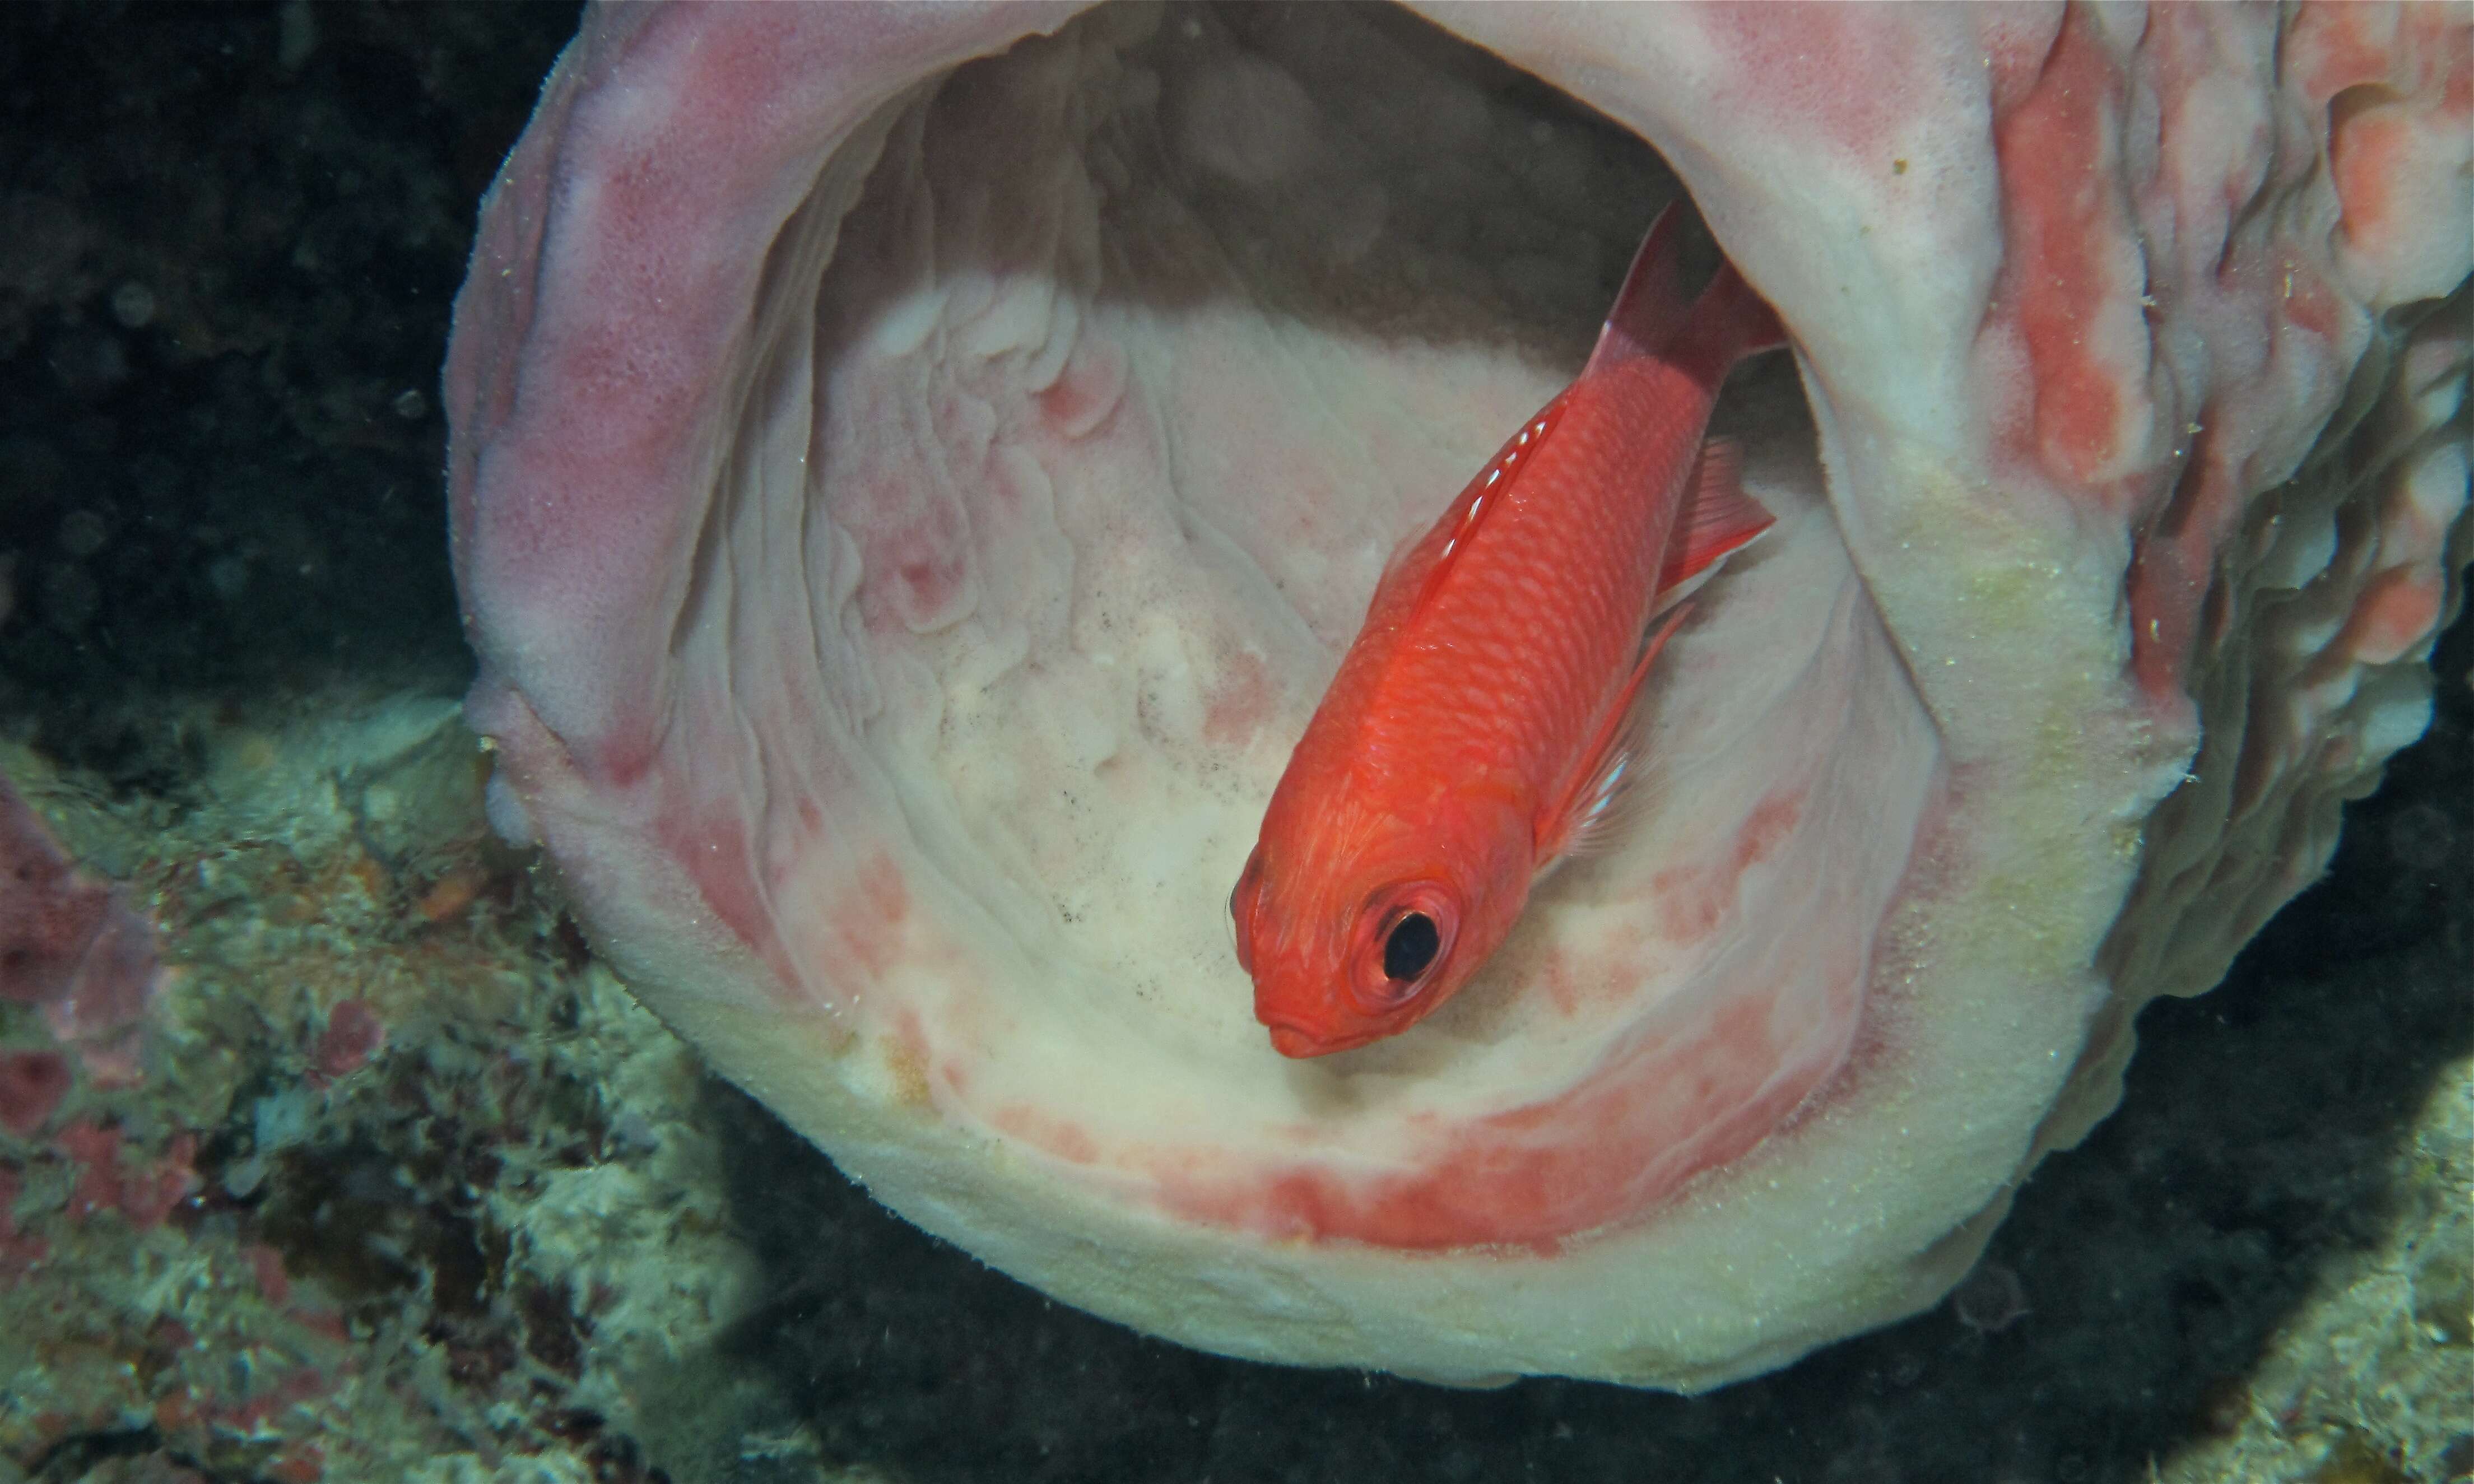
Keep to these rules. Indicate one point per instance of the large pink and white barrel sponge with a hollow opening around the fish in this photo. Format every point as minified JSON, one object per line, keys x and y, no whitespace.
{"x":914,"y":501}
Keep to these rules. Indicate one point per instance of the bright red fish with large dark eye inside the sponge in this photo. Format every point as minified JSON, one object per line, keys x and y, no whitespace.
{"x":1481,"y":726}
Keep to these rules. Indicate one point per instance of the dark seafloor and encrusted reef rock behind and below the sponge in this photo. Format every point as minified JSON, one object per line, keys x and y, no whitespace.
{"x":390,"y":1181}
